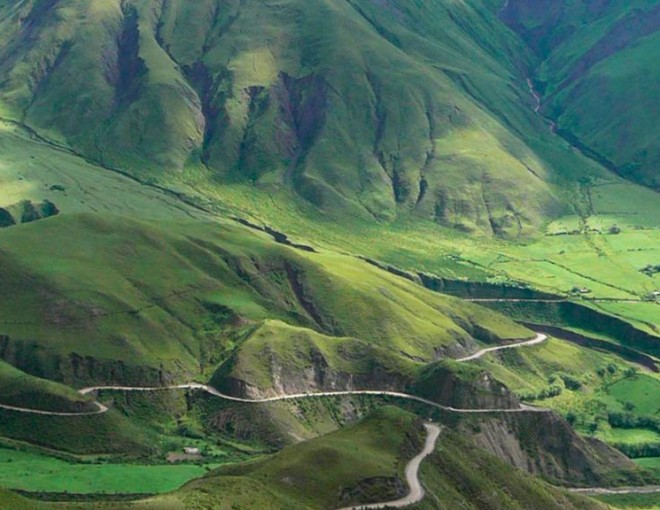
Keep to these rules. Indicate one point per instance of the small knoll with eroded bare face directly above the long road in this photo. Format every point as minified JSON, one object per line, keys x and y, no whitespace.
{"x":279,"y":359}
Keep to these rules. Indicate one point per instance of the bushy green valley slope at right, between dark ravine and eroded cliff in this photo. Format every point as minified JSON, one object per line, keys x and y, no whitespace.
{"x":600,"y":394}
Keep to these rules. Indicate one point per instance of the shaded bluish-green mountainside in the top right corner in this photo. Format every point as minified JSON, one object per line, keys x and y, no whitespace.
{"x":598,"y":76}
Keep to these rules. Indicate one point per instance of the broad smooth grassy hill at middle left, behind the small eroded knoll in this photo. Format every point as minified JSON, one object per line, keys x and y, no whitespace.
{"x":115,"y":300}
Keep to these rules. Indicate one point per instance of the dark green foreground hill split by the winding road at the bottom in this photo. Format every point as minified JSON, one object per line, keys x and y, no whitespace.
{"x":364,"y":463}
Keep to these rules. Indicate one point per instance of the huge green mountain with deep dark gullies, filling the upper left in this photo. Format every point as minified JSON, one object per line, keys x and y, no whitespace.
{"x":363,"y":109}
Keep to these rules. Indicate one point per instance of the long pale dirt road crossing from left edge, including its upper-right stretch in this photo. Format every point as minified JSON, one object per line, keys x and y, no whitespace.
{"x":212,"y":391}
